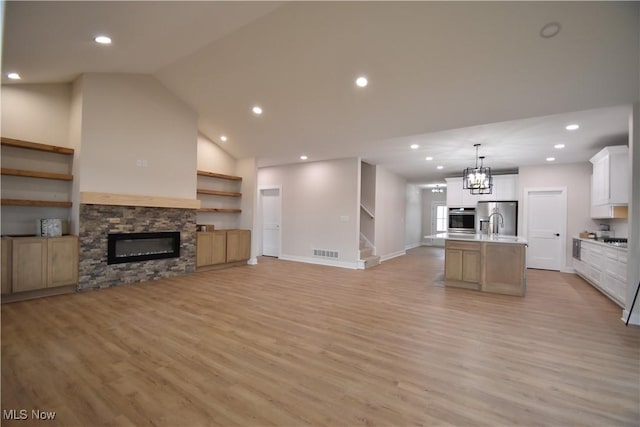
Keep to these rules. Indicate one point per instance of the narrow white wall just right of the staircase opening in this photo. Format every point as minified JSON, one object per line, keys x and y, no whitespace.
{"x":390,"y":214}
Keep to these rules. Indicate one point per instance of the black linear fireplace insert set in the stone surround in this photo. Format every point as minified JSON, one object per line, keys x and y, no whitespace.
{"x":132,"y":247}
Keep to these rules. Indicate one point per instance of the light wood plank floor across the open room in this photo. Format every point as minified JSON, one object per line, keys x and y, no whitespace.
{"x":285,"y":343}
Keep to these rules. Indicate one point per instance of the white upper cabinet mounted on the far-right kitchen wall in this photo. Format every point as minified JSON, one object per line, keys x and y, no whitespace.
{"x":610,"y":176}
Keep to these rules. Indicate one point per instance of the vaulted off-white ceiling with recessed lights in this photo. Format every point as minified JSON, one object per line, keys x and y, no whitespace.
{"x":442,"y":75}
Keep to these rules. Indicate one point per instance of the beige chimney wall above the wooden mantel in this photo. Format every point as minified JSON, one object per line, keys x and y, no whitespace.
{"x":131,"y":117}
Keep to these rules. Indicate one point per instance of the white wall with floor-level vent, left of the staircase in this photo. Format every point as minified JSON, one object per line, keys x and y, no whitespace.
{"x":320,"y":204}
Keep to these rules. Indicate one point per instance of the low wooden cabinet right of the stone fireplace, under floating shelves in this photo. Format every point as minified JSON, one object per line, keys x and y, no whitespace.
{"x":222,"y":246}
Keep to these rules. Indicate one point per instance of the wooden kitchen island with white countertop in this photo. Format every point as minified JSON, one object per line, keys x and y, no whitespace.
{"x":486,"y":263}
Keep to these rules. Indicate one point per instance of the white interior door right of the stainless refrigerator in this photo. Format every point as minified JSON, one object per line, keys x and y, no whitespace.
{"x":546,"y":224}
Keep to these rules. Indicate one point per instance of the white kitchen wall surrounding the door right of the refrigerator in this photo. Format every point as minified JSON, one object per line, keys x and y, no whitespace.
{"x":576,"y":178}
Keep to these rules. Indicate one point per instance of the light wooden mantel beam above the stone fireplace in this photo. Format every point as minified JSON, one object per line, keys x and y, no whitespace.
{"x":113,"y":199}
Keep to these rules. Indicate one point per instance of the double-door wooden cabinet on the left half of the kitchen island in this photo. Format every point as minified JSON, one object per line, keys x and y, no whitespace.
{"x":462,"y":263}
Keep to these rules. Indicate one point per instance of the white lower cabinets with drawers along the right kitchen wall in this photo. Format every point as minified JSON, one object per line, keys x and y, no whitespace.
{"x":605,"y":267}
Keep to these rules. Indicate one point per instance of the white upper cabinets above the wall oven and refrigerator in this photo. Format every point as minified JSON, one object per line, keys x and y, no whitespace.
{"x":505,"y":187}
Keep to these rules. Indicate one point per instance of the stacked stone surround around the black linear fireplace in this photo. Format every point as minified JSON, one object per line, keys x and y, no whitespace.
{"x":98,"y":220}
